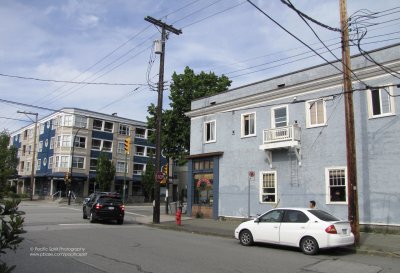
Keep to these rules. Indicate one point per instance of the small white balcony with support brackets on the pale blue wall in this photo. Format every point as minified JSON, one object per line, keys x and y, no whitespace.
{"x":287,"y":137}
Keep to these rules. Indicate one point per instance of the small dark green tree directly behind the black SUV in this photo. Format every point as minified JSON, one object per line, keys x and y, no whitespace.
{"x":105,"y":171}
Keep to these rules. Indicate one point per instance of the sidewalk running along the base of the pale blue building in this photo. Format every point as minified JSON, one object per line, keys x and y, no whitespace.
{"x":371,"y":243}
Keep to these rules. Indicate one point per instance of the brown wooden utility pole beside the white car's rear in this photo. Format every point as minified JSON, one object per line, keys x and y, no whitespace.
{"x":350,"y":131}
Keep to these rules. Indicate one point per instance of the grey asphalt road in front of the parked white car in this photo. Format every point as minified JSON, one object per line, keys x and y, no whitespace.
{"x":59,"y":240}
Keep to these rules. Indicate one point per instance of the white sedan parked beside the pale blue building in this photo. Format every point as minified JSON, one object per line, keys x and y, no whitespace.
{"x":309,"y":229}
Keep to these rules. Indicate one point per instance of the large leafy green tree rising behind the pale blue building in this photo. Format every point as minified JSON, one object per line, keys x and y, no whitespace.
{"x":175,"y":137}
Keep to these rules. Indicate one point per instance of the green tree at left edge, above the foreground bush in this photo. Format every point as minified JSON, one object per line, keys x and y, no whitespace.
{"x":8,"y":160}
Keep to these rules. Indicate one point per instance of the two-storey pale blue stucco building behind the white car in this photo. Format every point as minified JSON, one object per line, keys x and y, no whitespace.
{"x":282,"y":142}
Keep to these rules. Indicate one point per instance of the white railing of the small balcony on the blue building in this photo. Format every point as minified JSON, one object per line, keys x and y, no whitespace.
{"x":282,"y":134}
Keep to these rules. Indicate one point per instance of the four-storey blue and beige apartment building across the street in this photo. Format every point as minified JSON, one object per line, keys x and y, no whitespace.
{"x":69,"y":142}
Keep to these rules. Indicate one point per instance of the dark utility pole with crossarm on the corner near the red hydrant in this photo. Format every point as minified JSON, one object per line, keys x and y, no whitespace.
{"x":164,"y":27}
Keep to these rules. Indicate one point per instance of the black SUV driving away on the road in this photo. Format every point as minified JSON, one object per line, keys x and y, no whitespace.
{"x":104,"y":206}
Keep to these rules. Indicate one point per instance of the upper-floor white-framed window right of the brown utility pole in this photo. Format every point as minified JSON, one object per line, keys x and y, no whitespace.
{"x":381,"y":102}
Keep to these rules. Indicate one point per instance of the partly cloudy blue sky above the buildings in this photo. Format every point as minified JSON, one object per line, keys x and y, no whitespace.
{"x":99,"y":54}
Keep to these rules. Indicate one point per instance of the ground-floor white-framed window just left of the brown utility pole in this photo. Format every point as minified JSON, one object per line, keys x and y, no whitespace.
{"x":336,"y":185}
